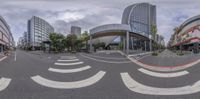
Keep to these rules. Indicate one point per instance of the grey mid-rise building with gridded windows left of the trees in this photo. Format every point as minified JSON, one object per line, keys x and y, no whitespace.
{"x":38,"y":31}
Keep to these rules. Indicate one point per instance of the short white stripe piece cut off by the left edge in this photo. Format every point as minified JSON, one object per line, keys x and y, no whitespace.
{"x":4,"y":82}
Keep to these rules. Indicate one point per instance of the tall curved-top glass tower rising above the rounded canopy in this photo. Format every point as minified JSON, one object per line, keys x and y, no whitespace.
{"x":141,"y":17}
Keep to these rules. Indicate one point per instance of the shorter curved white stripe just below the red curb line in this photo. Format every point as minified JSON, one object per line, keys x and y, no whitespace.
{"x":164,"y":75}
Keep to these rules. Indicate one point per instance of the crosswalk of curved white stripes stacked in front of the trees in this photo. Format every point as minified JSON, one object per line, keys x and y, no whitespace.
{"x":69,"y":61}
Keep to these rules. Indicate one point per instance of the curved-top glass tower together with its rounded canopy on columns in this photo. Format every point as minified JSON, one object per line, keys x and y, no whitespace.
{"x":135,"y":29}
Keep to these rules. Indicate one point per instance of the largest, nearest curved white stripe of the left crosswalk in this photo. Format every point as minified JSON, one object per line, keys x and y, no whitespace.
{"x":69,"y":85}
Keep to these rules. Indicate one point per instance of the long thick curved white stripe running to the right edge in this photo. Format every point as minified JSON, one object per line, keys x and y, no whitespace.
{"x":133,"y":85}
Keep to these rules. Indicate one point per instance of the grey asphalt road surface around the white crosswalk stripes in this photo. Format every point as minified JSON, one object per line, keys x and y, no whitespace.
{"x":111,"y":86}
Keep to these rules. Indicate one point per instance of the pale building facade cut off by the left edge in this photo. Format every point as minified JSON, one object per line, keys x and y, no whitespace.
{"x":6,"y":38}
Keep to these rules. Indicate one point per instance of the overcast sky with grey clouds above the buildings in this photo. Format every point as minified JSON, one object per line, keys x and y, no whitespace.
{"x":62,"y":14}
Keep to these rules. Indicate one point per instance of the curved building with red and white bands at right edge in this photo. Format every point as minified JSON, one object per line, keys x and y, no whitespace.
{"x":187,"y":35}
